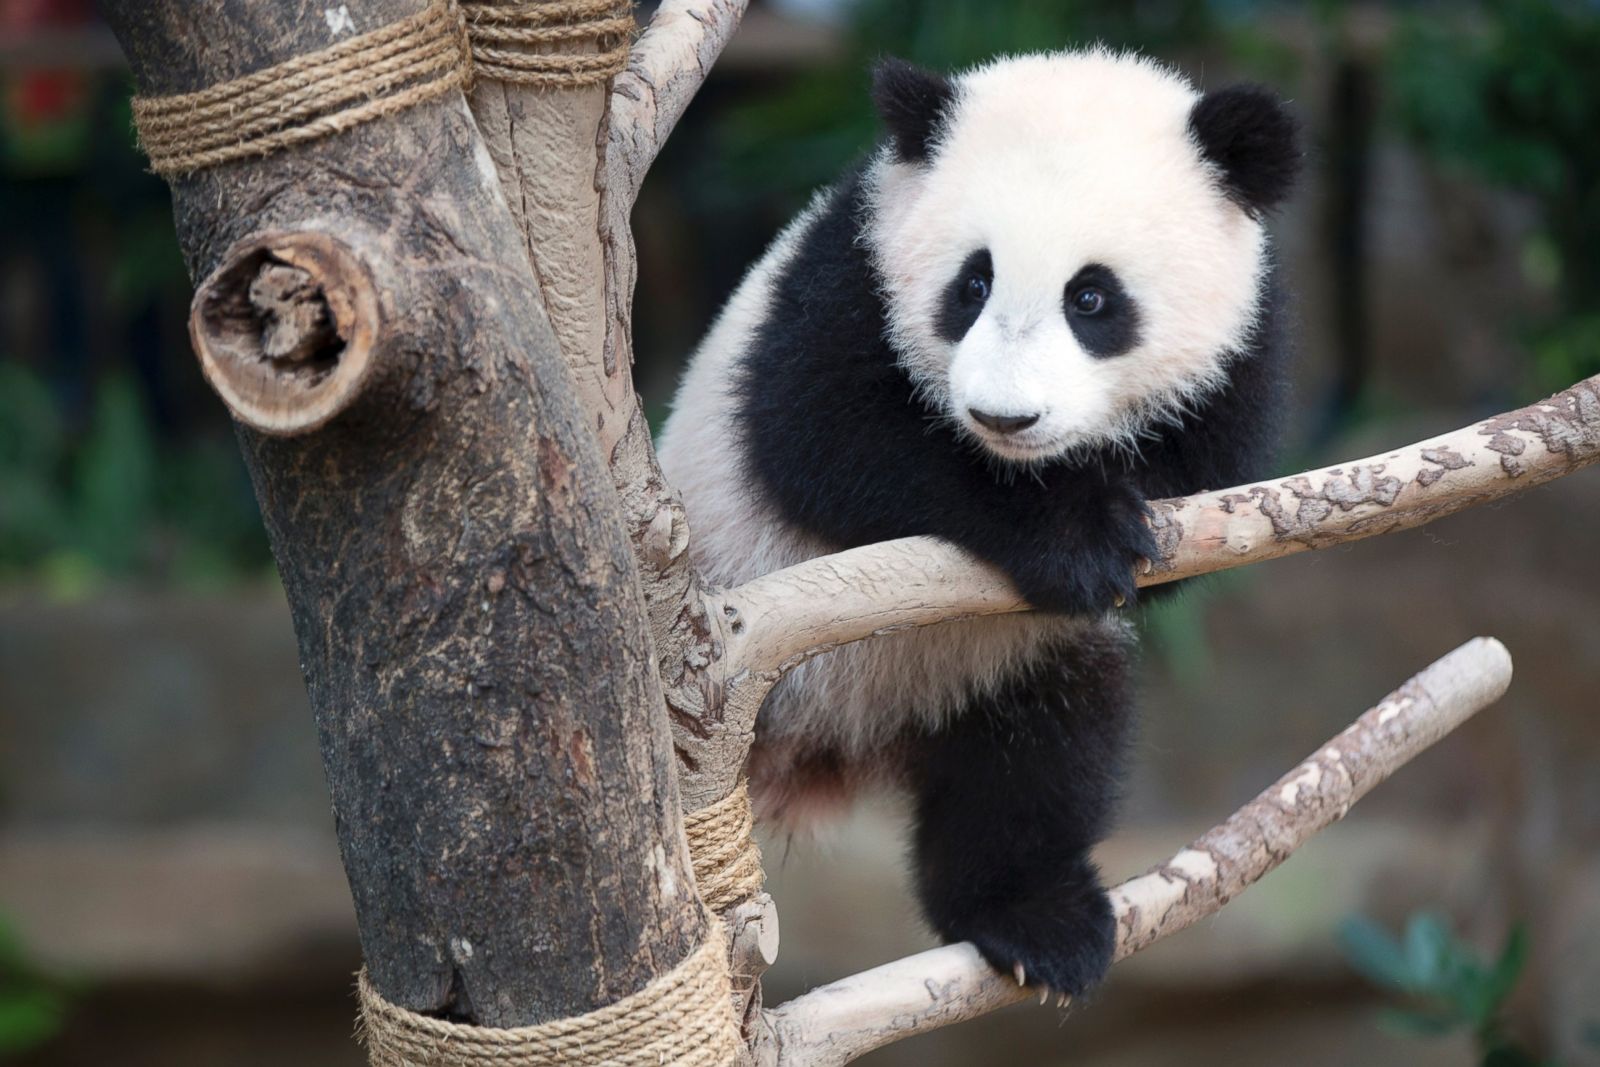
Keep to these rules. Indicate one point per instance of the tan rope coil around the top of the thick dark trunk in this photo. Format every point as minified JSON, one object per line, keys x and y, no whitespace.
{"x":311,"y":97}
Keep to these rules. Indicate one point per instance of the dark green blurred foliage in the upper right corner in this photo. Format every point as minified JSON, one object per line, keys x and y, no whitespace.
{"x":1508,"y":92}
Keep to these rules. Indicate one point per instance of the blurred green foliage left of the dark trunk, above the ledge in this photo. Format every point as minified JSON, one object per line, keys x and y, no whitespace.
{"x":113,"y":502}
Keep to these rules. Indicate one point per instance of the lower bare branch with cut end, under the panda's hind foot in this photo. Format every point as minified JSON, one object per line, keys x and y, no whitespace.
{"x":838,"y":1023}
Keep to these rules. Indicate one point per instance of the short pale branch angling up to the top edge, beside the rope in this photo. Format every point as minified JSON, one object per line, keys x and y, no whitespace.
{"x":668,"y":66}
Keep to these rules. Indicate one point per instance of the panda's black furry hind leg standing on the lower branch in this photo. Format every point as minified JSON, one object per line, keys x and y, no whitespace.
{"x":1010,"y":797}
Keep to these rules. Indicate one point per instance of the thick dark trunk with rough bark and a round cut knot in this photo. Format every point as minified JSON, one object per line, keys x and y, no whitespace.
{"x":466,"y":601}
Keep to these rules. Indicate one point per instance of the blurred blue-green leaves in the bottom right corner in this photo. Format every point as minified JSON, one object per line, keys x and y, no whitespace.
{"x":1442,"y":983}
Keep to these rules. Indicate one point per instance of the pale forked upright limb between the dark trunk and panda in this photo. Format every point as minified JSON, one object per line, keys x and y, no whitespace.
{"x":572,"y":210}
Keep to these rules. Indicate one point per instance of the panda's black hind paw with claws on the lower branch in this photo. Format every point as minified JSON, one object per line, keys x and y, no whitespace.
{"x":1060,"y":943}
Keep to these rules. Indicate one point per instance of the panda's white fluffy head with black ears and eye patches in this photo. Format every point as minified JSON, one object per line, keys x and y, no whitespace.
{"x":1071,"y":246}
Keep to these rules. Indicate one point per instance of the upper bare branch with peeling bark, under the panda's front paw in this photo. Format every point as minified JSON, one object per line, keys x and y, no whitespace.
{"x":809,"y":609}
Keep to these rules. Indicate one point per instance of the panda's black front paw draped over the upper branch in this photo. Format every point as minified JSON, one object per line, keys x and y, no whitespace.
{"x":1092,"y":567}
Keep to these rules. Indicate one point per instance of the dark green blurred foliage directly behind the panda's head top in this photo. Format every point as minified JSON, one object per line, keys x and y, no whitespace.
{"x":801,"y":138}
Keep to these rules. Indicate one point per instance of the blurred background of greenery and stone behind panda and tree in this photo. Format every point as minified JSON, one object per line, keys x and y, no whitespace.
{"x":170,"y":890}
